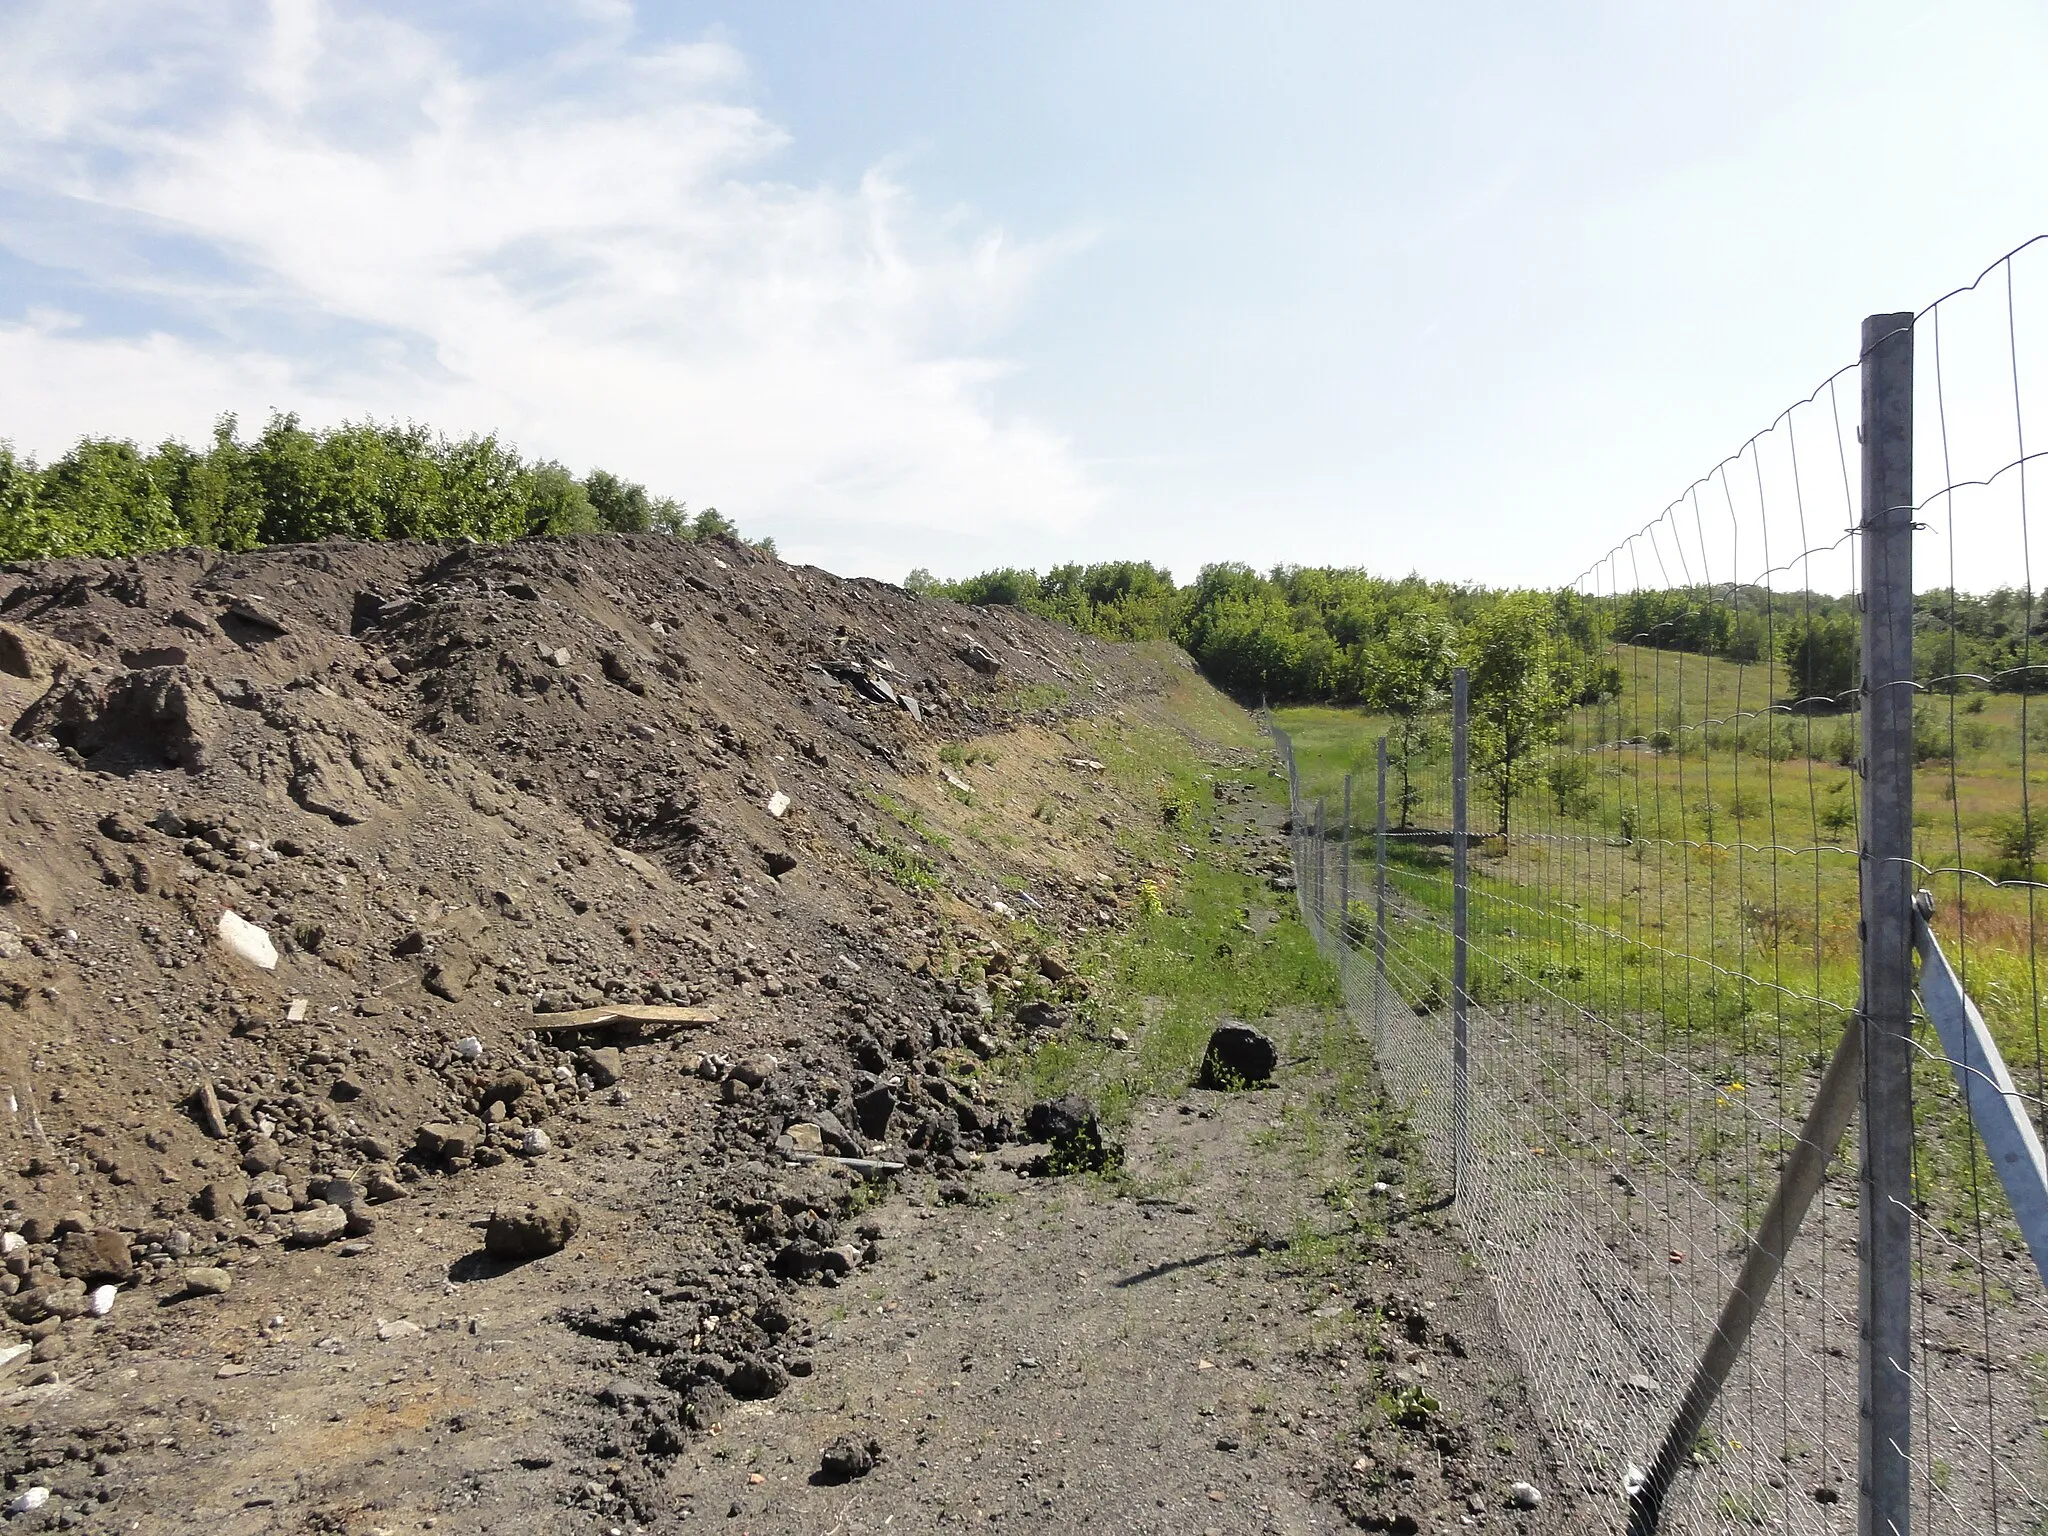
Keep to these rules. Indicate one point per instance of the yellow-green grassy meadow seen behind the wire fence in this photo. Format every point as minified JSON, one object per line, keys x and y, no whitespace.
{"x":1695,"y":886}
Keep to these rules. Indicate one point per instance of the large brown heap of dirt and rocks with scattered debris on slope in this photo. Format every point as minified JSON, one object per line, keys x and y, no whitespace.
{"x":318,"y":867}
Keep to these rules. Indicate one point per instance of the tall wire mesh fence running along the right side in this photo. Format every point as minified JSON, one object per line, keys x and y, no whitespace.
{"x":1676,"y":898}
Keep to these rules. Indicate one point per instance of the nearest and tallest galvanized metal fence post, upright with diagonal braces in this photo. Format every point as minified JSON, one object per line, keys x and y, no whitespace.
{"x":1885,"y":1461}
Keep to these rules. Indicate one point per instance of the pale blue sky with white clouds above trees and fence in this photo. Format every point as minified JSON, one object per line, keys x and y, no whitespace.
{"x":1465,"y":290}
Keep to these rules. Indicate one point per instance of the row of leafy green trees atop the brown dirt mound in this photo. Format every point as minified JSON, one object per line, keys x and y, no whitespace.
{"x":296,"y":484}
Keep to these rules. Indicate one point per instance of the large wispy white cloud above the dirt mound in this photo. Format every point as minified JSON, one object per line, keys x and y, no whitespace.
{"x":585,"y":253}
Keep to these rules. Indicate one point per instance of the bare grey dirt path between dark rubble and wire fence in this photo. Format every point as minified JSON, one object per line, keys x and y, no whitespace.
{"x":1203,"y":1345}
